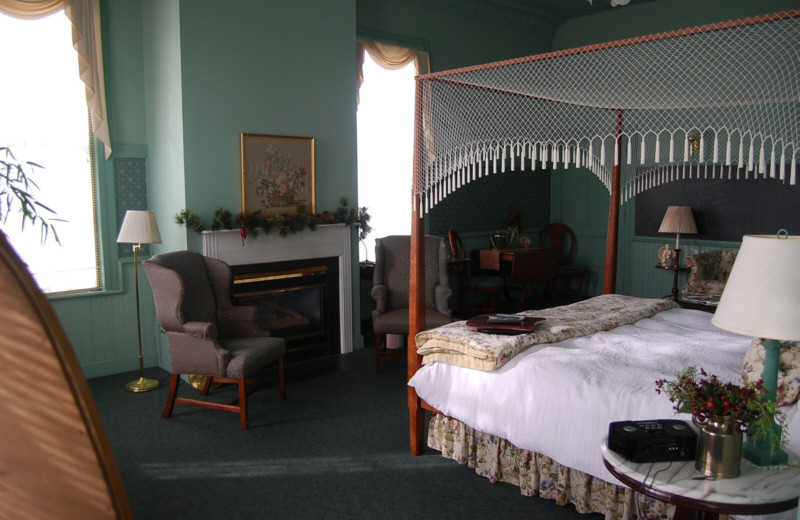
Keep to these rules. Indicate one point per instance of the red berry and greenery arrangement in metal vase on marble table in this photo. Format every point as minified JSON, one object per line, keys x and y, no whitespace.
{"x":705,"y":396}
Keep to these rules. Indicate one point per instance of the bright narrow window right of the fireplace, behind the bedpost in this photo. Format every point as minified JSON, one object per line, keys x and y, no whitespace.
{"x":385,"y":150}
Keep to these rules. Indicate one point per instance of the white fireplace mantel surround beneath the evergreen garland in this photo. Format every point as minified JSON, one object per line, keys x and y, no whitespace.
{"x":330,"y":240}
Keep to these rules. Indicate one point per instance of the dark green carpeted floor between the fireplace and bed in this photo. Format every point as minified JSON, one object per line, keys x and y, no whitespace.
{"x":336,"y":448}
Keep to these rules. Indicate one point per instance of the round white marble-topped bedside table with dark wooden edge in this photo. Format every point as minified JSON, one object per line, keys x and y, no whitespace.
{"x":757,"y":491}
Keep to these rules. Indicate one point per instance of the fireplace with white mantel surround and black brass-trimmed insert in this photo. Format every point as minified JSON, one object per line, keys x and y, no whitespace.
{"x":304,"y":258}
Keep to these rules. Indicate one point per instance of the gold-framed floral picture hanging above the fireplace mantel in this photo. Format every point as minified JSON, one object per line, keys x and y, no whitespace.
{"x":277,"y":174}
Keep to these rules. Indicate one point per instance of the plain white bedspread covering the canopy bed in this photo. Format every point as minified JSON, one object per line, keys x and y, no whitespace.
{"x":559,"y":399}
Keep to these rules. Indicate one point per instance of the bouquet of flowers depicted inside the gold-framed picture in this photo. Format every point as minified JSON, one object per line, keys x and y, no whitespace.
{"x":279,"y":180}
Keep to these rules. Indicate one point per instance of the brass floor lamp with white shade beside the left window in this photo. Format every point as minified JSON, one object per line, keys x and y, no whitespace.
{"x":139,"y":227}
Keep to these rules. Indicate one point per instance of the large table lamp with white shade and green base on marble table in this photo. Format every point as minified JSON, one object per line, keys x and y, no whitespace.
{"x":762,"y":299}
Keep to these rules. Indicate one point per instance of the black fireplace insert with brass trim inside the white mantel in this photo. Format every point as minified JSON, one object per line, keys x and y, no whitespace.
{"x":295,"y":300}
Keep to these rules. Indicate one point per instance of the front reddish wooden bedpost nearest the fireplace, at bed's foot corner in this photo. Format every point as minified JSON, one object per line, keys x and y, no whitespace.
{"x":416,"y":282}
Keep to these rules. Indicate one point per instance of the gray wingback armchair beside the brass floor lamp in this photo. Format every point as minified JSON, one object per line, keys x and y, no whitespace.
{"x":207,"y":335}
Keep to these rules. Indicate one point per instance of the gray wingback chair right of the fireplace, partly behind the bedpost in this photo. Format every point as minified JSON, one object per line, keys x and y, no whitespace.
{"x":391,"y":286}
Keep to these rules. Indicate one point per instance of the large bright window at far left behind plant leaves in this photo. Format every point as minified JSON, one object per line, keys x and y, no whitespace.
{"x":44,"y":118}
